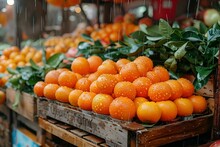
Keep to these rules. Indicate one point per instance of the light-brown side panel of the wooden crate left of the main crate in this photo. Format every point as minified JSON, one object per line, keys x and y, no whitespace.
{"x":26,"y":106}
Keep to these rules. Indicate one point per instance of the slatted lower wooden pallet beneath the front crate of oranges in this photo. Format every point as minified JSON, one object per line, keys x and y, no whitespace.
{"x":70,"y":134}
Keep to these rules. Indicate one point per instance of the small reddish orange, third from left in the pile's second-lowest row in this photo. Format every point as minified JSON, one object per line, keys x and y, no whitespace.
{"x":83,"y":84}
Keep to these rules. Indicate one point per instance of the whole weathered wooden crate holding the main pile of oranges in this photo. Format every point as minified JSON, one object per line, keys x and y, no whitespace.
{"x":119,"y":133}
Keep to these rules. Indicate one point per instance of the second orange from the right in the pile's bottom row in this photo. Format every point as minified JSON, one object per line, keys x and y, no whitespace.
{"x":184,"y":106}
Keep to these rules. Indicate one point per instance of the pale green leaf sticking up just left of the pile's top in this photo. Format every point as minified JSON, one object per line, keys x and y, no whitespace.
{"x":55,"y":60}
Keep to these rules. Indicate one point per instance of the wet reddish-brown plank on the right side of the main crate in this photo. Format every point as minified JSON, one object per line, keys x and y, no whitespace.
{"x":173,"y":132}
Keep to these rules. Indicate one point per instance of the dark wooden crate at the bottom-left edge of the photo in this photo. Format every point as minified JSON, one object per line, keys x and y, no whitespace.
{"x":5,"y":129}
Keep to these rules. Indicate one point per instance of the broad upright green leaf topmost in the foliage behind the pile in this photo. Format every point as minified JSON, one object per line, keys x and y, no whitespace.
{"x":165,"y":29}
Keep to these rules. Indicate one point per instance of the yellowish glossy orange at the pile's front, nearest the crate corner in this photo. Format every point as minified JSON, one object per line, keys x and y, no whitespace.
{"x":149,"y":112}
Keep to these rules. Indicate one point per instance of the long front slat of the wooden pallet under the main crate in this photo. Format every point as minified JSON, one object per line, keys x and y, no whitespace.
{"x":64,"y":134}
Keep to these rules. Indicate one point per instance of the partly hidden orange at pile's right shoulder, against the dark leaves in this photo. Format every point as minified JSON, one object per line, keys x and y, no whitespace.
{"x":162,"y":73}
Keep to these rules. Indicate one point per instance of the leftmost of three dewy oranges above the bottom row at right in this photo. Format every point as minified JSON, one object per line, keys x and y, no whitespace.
{"x":159,"y":92}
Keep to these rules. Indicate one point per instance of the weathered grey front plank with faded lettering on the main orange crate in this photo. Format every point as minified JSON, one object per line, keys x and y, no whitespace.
{"x":104,"y":127}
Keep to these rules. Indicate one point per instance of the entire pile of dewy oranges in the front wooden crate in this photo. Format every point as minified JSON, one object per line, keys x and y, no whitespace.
{"x":123,"y":89}
